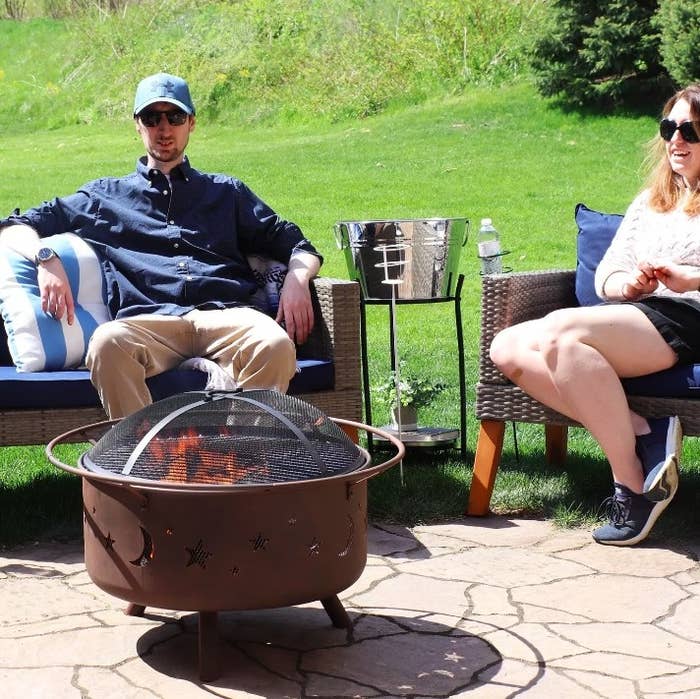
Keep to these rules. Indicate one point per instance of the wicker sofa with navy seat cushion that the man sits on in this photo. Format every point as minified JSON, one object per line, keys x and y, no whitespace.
{"x":36,"y":407}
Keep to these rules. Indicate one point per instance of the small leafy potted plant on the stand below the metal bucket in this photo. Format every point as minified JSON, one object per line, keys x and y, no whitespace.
{"x":413,"y":392}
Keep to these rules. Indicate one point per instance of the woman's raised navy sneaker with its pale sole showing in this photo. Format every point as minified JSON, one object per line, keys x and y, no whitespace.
{"x":658,"y":451}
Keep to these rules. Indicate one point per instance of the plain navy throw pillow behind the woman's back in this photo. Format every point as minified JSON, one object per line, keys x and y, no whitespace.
{"x":595,"y":232}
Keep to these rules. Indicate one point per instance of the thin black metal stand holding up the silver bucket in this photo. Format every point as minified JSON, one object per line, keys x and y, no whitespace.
{"x":428,"y":436}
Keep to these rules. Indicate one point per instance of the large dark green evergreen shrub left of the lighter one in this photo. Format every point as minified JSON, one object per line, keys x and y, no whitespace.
{"x":600,"y":53}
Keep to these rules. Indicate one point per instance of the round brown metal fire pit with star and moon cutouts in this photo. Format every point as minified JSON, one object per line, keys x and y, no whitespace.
{"x":215,"y":546}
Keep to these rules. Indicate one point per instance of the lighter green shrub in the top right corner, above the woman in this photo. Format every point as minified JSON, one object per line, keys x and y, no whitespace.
{"x":679,"y":25}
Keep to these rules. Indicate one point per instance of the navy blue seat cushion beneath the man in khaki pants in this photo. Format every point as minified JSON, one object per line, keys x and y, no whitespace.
{"x":72,"y":388}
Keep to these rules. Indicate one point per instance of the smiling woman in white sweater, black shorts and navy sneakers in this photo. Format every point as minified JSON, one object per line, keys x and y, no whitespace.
{"x":649,"y":319}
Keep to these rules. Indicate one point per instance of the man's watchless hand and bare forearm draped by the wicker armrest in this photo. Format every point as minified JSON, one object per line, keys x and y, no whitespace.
{"x":295,"y":308}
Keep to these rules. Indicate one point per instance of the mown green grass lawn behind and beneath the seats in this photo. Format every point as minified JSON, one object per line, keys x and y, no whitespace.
{"x":501,"y":153}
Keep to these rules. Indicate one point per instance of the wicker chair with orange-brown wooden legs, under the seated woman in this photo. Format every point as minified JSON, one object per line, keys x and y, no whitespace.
{"x":508,"y":299}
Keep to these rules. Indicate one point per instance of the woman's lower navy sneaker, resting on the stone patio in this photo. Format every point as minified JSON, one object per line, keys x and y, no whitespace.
{"x":631,"y":517}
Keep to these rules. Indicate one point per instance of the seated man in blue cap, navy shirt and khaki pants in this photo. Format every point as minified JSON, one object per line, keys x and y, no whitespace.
{"x":173,"y":243}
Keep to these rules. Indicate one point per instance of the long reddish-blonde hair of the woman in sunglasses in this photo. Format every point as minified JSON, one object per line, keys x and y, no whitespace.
{"x":667,"y":188}
